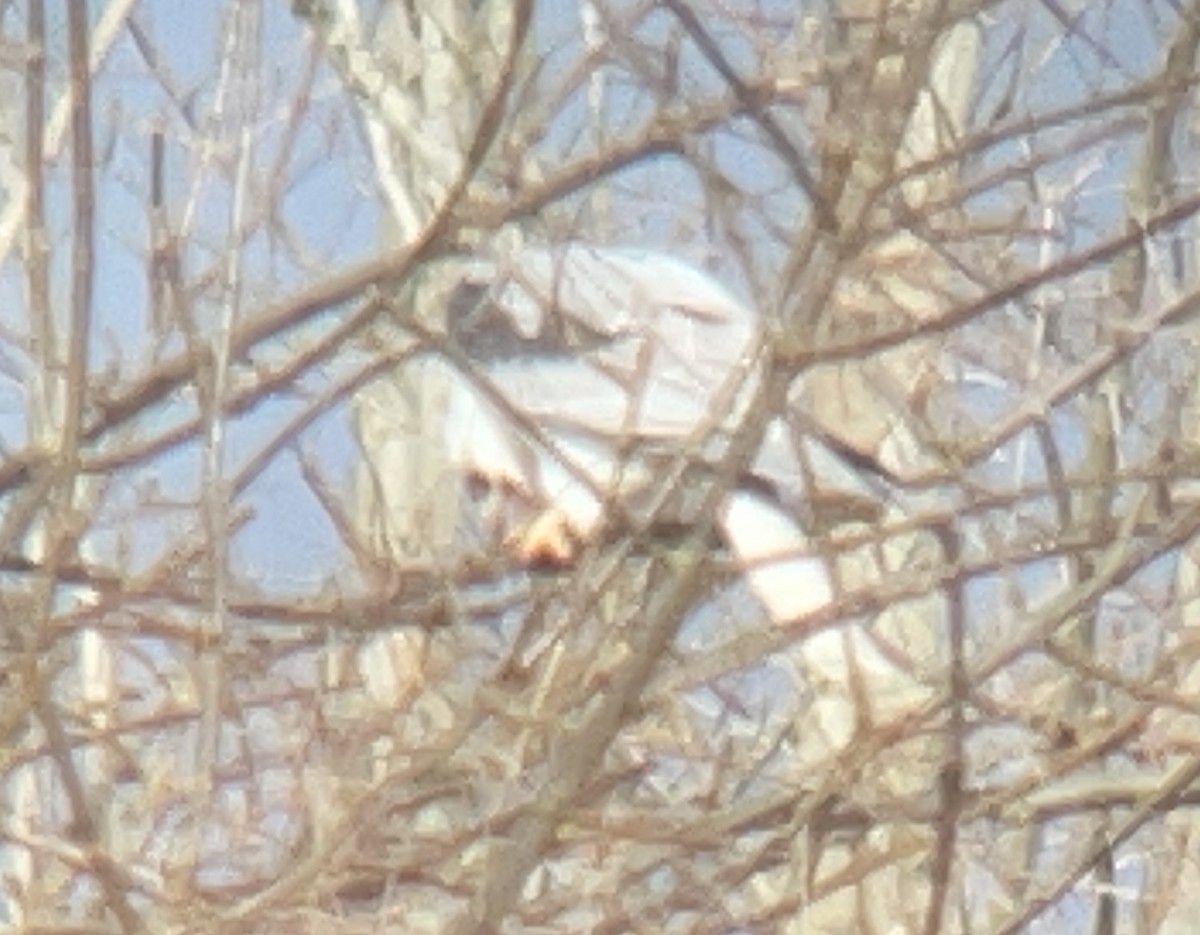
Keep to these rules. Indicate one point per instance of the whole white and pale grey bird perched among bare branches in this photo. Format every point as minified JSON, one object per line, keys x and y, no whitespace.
{"x":586,"y":373}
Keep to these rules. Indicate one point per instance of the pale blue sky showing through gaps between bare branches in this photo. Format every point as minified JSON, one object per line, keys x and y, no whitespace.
{"x":290,"y":546}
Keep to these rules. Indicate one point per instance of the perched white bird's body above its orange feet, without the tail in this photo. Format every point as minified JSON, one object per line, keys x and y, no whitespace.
{"x":585,"y":356}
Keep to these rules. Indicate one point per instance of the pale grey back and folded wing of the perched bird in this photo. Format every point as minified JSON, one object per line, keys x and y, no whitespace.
{"x":653,"y":341}
